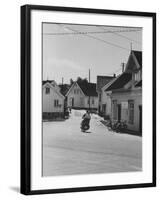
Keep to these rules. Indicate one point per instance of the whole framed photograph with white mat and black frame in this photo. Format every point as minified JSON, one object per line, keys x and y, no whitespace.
{"x":88,"y":121}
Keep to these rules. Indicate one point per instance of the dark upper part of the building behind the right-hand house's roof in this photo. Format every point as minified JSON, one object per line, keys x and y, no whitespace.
{"x":102,"y":81}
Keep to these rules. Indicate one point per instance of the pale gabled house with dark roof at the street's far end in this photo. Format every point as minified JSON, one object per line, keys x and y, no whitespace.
{"x":82,"y":96}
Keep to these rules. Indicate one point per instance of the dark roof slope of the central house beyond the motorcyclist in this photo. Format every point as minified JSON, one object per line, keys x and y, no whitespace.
{"x":89,"y":89}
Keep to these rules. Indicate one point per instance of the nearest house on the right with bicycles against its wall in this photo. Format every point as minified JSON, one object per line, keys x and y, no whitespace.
{"x":126,"y":93}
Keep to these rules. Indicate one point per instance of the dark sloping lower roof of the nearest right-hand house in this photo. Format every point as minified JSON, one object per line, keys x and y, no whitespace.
{"x":122,"y":80}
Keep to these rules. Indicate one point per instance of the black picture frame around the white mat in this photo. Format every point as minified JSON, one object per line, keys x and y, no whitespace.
{"x":25,"y":182}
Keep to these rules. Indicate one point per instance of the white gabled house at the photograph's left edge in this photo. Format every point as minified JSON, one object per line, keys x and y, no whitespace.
{"x":53,"y":100}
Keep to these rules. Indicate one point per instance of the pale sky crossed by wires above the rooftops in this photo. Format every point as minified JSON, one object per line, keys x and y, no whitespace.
{"x":70,"y":50}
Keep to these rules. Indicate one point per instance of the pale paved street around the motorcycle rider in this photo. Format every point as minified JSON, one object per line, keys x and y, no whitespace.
{"x":68,"y":151}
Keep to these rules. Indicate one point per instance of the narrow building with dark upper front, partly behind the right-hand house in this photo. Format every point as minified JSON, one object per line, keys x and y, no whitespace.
{"x":103,"y":101}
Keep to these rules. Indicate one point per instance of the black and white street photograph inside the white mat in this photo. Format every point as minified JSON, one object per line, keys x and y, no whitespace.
{"x":91,"y":99}
